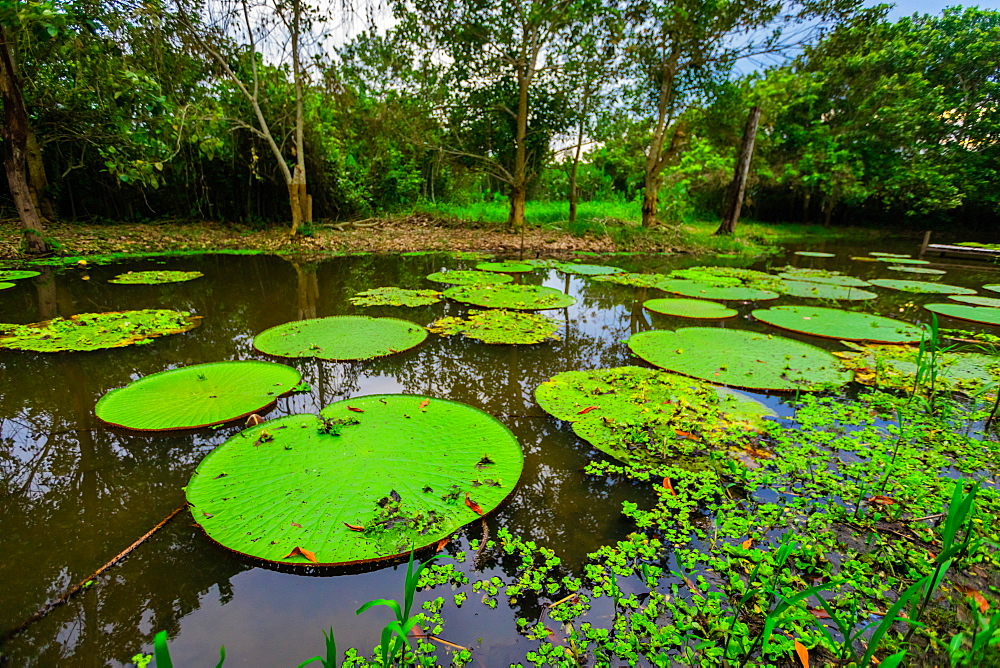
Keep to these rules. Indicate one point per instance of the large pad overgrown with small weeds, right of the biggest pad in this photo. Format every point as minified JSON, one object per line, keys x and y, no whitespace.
{"x":642,"y":416}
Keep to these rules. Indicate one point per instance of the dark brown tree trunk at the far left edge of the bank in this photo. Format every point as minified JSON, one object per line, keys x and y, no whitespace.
{"x":15,"y":136}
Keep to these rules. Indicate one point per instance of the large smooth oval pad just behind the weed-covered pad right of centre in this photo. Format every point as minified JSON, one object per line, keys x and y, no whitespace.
{"x":740,"y":358}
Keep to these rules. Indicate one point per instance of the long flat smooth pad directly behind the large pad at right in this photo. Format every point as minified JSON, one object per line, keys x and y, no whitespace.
{"x":837,"y":324}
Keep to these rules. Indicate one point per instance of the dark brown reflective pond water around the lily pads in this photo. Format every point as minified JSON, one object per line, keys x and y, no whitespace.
{"x":75,"y":492}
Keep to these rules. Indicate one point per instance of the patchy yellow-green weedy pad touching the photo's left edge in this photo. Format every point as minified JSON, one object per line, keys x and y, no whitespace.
{"x":94,"y":331}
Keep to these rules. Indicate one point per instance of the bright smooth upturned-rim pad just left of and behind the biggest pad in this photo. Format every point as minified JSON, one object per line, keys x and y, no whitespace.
{"x":197,"y":396}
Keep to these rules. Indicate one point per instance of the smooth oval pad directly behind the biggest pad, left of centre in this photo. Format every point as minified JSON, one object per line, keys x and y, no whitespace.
{"x":341,"y":337}
